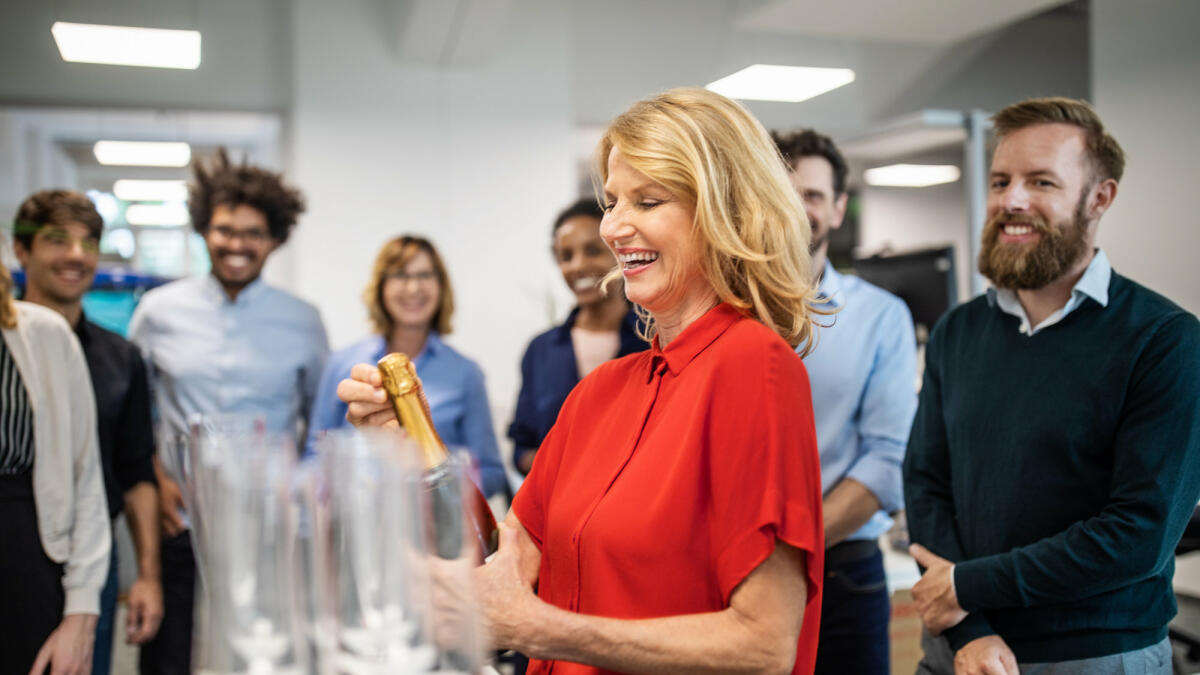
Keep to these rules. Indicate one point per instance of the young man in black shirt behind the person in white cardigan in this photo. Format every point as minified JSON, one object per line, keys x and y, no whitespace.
{"x":57,"y":240}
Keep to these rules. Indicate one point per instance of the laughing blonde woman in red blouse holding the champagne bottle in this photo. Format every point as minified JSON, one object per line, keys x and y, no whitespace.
{"x":673,"y":518}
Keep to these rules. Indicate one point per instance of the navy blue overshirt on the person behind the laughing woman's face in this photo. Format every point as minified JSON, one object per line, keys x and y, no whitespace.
{"x":549,"y":373}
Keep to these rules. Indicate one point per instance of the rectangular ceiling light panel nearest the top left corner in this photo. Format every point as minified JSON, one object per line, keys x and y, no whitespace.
{"x":128,"y":46}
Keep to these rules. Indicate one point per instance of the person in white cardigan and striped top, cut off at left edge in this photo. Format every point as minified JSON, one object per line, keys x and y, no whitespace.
{"x":53,"y":511}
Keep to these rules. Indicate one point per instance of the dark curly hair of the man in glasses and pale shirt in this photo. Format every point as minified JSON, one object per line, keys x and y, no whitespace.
{"x":224,"y":183}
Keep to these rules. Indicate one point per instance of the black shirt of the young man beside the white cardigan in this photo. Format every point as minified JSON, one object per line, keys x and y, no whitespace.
{"x":123,"y":411}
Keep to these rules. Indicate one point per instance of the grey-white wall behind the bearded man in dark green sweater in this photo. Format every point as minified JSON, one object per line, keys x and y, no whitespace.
{"x":1147,"y":82}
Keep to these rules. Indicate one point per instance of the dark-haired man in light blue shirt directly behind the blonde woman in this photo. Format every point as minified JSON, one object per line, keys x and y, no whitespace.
{"x":863,"y":401}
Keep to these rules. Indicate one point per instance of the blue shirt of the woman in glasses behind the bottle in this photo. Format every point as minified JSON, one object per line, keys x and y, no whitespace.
{"x":454,"y":386}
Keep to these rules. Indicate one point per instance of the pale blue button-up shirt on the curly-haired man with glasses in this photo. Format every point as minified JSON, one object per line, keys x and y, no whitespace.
{"x":259,"y":355}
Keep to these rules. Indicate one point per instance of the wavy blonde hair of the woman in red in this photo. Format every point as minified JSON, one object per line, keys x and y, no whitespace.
{"x":751,"y":223}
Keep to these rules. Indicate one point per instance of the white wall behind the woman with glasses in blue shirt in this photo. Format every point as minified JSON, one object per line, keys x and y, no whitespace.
{"x":478,"y":159}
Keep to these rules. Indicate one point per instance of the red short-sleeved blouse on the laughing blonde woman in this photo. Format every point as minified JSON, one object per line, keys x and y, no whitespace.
{"x":669,"y":476}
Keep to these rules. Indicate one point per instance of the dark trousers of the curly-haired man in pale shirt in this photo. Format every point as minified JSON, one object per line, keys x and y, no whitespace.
{"x":171,"y":652}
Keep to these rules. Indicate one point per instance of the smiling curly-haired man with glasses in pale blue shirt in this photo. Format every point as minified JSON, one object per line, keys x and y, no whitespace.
{"x":220,"y":344}
